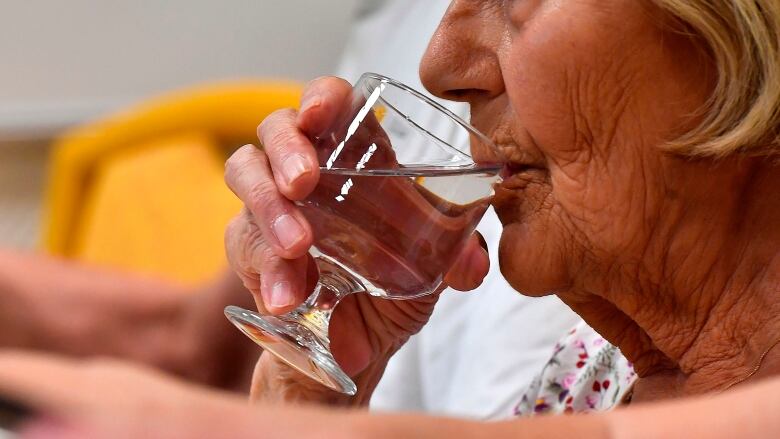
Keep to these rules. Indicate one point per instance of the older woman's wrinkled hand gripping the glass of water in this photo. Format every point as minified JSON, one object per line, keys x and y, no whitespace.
{"x":267,"y":246}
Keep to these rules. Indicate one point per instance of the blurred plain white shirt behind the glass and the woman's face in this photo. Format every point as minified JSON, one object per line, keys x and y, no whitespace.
{"x":481,"y":350}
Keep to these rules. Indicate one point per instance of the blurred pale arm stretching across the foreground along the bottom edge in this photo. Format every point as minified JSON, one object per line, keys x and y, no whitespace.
{"x":87,"y":399}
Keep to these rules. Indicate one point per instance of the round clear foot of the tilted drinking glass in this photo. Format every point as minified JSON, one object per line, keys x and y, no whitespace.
{"x":294,"y":344}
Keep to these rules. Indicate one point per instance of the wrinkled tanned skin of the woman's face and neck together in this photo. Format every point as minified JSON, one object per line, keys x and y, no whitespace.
{"x":581,"y":96}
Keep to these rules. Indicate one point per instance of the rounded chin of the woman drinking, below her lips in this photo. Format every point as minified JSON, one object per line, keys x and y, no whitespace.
{"x":531,"y":261}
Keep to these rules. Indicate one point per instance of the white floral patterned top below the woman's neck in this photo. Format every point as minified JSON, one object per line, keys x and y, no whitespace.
{"x":586,"y":373}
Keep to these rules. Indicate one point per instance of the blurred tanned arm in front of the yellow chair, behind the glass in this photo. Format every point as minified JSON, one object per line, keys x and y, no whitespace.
{"x":53,"y":305}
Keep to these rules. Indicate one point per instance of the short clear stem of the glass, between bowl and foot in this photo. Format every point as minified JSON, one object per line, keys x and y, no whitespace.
{"x":334,"y":284}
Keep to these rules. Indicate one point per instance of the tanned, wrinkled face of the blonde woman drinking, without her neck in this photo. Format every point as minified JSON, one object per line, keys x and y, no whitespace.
{"x":580,"y":95}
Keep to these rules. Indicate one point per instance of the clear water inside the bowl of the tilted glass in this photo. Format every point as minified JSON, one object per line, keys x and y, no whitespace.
{"x":399,"y":230}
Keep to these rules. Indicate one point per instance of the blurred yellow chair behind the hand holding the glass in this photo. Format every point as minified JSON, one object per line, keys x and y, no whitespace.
{"x":142,"y":190}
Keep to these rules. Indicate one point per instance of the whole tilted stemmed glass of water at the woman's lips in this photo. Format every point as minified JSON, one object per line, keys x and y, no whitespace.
{"x":398,"y":197}
